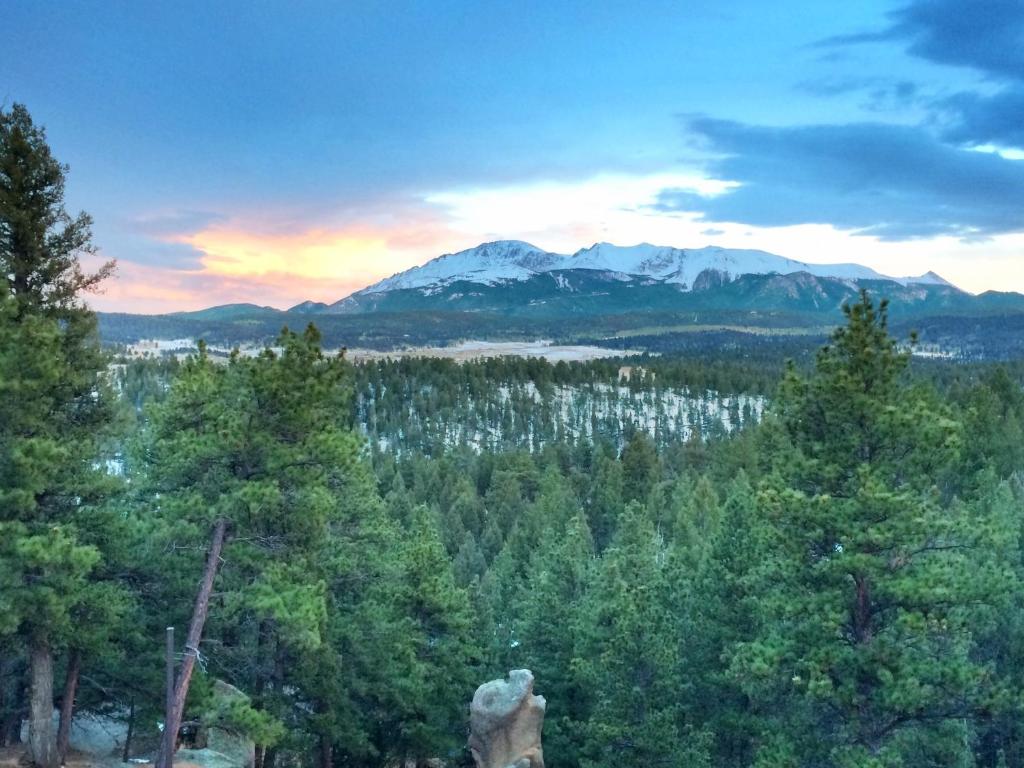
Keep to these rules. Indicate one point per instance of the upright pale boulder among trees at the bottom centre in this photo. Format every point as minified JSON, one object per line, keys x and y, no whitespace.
{"x":505,"y":721}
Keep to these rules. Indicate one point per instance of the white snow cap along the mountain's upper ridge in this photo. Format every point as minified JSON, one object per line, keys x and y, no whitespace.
{"x":515,"y":261}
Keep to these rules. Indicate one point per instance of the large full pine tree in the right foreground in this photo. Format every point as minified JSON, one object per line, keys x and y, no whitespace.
{"x":876,"y":579}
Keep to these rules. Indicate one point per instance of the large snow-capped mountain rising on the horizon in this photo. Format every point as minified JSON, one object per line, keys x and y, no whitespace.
{"x":514,"y":277}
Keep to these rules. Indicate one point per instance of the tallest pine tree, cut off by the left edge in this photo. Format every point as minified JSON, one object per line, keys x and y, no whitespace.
{"x":54,"y":410}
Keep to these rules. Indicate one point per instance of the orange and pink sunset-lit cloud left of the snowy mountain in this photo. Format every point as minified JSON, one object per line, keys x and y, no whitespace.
{"x":192,"y":260}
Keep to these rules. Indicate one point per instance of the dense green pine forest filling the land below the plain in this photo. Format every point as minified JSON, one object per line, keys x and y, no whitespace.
{"x":833,"y":577}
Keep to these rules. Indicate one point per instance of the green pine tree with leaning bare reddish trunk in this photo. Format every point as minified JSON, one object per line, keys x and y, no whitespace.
{"x":258,"y":458}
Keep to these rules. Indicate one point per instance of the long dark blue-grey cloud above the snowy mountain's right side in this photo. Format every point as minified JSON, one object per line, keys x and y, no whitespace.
{"x":893,"y":183}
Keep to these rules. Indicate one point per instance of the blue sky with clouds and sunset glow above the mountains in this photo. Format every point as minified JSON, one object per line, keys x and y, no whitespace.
{"x":280,"y":152}
